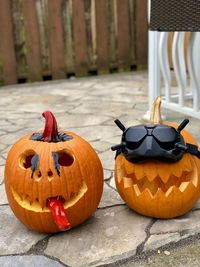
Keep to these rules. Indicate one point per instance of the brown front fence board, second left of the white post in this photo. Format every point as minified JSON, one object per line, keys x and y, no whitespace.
{"x":123,"y":25}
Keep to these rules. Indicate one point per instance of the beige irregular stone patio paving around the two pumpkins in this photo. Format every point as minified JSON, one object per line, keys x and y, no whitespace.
{"x":115,"y":234}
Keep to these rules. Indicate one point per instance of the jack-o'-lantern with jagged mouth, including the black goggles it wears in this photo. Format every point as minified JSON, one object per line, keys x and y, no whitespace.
{"x":167,"y":184}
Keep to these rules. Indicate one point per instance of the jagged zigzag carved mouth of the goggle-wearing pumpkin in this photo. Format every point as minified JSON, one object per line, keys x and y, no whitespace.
{"x":181,"y":183}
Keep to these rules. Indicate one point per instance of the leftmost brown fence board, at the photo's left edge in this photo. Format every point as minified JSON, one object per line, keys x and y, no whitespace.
{"x":7,"y":43}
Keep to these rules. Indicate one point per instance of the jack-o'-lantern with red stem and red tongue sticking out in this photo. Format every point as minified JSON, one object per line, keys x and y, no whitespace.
{"x":54,"y":179}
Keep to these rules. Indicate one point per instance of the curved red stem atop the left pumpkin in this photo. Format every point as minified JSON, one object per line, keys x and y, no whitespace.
{"x":51,"y":128}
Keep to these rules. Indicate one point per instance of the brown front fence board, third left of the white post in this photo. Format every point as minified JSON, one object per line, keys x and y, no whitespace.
{"x":102,"y":35}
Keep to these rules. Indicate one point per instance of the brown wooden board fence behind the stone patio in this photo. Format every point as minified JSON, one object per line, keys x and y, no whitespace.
{"x":54,"y":39}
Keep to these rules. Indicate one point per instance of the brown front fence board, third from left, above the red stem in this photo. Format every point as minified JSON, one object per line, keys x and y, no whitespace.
{"x":56,"y":39}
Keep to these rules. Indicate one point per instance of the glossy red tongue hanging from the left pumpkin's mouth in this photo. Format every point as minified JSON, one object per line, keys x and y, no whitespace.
{"x":58,"y":213}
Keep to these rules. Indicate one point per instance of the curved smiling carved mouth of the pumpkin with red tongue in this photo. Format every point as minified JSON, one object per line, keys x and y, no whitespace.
{"x":35,"y":206}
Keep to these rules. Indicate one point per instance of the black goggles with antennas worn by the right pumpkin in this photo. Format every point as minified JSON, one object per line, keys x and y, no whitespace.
{"x":158,"y":141}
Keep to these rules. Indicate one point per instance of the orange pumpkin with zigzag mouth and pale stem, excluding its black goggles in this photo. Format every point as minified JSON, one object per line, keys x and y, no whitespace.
{"x":159,"y":189}
